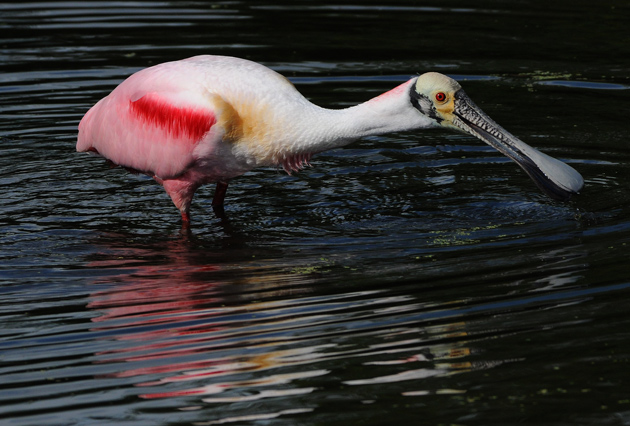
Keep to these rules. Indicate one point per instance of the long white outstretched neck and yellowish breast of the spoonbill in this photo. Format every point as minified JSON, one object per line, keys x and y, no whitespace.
{"x":305,"y":129}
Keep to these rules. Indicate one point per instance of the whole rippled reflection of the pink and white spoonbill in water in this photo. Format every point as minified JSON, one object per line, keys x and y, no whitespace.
{"x":181,"y":327}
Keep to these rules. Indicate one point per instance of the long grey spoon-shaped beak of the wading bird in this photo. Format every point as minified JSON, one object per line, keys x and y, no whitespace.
{"x":557,"y":179}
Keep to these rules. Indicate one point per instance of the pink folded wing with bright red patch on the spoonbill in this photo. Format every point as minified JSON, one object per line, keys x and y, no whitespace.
{"x":152,"y":122}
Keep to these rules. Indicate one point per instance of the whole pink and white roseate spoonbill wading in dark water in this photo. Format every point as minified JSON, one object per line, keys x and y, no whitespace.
{"x":208,"y":119}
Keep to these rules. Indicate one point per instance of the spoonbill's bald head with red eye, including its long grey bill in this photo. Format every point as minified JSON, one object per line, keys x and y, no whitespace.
{"x":443,"y":100}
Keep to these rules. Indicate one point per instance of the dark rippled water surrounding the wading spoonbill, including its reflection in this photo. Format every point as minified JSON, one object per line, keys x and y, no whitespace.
{"x":415,"y":278}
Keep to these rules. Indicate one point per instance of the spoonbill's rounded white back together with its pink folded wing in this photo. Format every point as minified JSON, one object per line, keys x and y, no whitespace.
{"x":161,"y":119}
